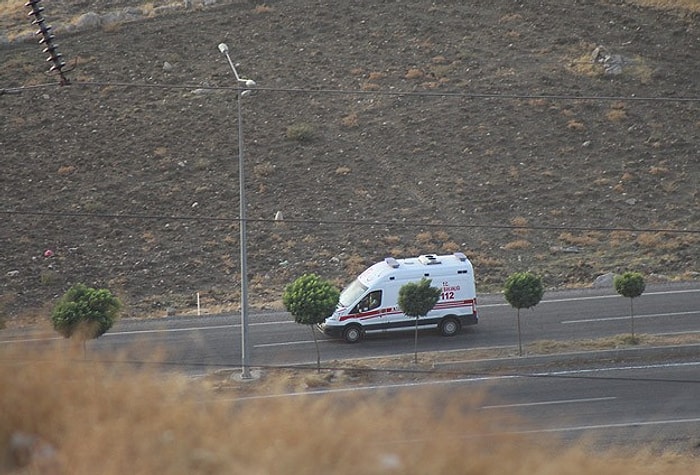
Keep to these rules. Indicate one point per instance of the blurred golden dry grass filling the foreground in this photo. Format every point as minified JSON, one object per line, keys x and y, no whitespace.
{"x":86,"y":417}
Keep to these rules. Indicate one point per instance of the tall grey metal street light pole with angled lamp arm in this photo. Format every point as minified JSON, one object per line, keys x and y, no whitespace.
{"x":245,"y":352}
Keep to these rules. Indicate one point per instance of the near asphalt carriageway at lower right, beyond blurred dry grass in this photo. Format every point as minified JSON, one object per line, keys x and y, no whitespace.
{"x":655,"y":404}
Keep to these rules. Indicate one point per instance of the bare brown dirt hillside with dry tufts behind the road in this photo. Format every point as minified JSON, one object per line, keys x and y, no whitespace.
{"x":561,"y":137}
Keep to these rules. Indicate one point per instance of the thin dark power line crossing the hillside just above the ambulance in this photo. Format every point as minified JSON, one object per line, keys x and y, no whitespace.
{"x":335,"y":222}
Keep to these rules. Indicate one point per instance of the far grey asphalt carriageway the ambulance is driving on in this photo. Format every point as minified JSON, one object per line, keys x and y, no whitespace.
{"x":275,"y":340}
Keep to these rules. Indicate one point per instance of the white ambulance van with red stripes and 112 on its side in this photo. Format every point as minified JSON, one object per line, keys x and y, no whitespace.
{"x":370,"y":303}
